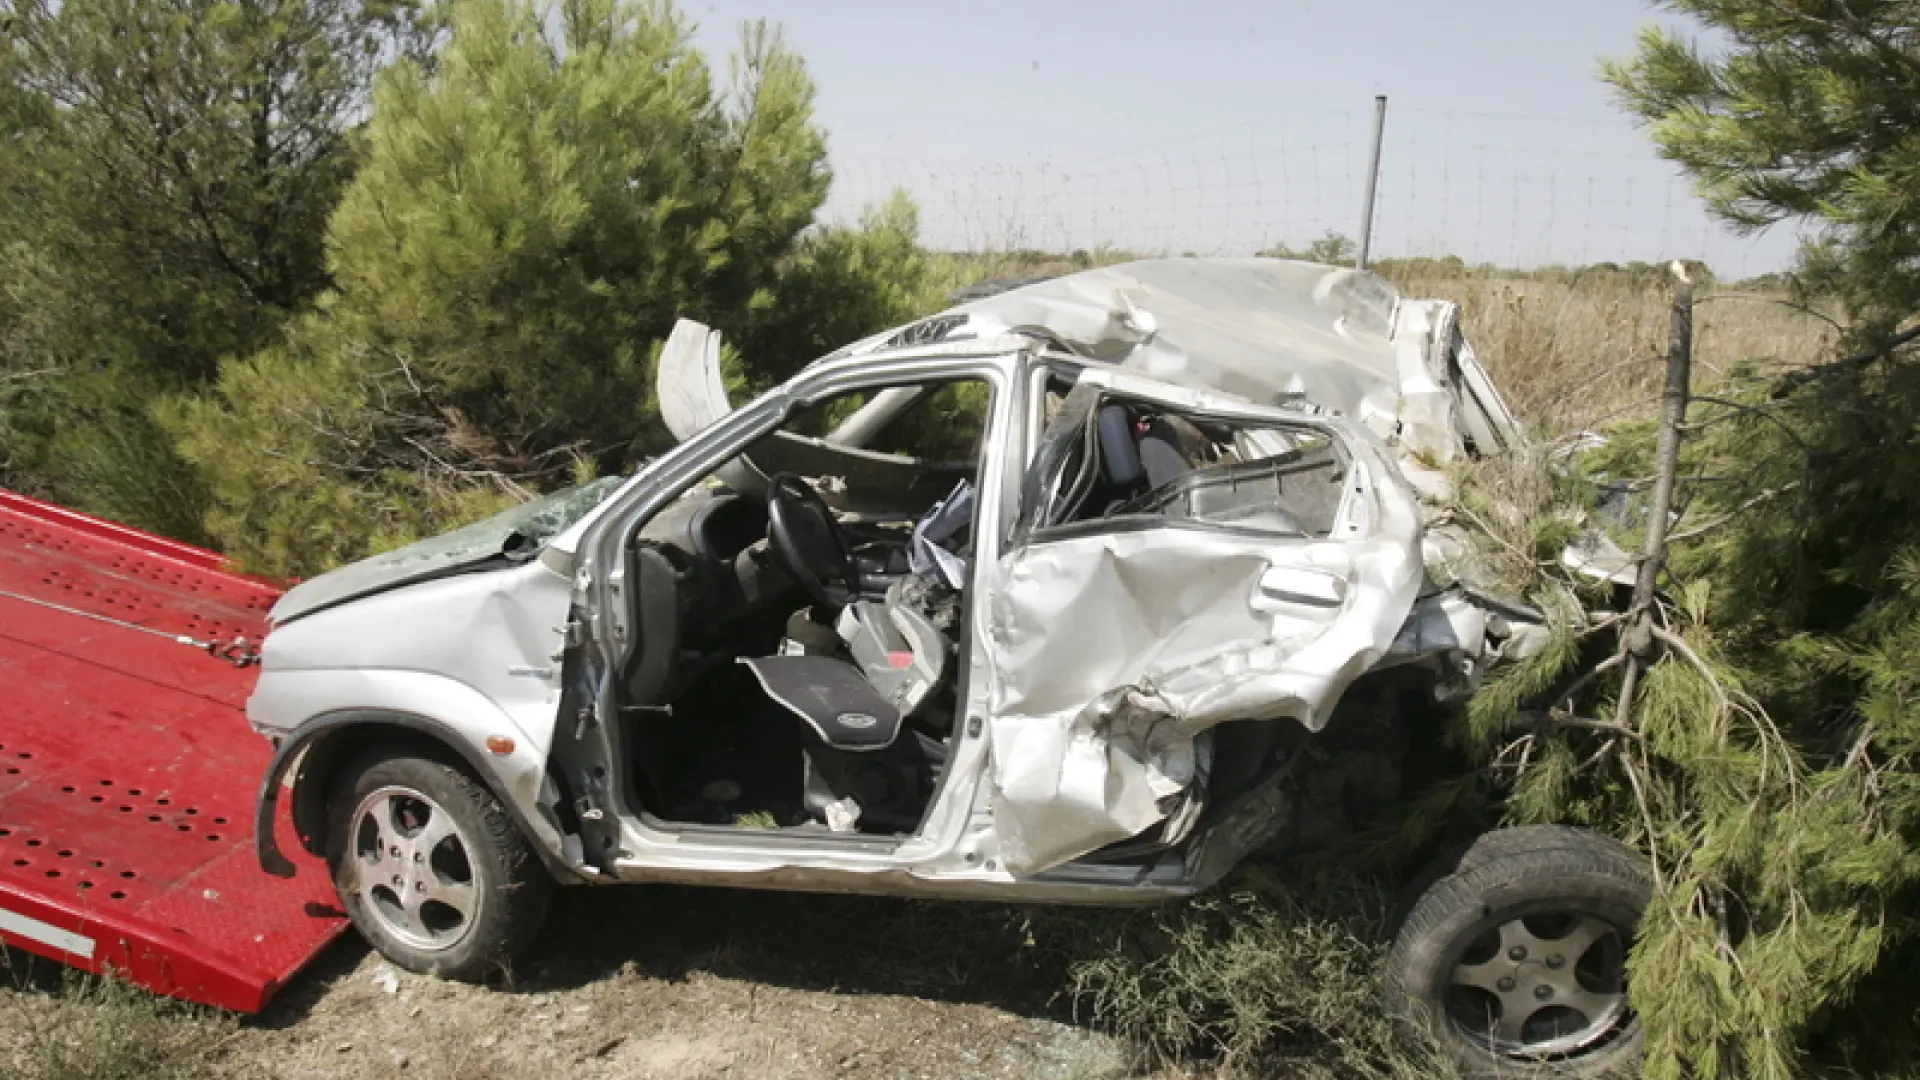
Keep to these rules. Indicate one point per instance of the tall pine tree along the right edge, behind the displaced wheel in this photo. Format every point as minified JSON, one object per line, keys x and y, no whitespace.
{"x":1765,"y":754}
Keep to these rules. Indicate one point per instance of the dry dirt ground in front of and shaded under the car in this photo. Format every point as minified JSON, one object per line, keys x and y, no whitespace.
{"x":663,"y":983}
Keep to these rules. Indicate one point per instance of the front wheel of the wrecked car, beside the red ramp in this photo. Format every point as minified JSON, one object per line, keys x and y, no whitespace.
{"x":431,"y":870}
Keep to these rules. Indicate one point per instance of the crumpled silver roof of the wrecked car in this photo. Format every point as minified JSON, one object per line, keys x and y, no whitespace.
{"x":1270,"y":331}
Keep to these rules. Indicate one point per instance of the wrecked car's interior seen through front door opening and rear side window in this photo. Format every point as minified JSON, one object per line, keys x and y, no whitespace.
{"x":800,"y":633}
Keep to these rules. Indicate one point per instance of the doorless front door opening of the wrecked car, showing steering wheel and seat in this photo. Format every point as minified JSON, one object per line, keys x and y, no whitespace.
{"x":800,"y":643}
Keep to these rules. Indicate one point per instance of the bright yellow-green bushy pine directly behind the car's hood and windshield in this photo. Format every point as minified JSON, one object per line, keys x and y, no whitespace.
{"x":535,"y":212}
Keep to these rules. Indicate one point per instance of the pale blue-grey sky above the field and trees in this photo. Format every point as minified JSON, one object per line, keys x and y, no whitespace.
{"x":1224,"y":126}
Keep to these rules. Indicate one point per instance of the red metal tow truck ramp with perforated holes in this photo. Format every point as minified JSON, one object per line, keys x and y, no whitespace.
{"x":128,"y":772}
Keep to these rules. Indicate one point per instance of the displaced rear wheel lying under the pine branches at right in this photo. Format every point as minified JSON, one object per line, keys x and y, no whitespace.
{"x":1516,"y":964}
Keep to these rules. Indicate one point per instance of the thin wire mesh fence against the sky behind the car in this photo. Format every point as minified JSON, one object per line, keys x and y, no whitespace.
{"x":1510,"y":189}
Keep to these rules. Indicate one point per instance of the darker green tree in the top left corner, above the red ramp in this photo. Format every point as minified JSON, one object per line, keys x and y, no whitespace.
{"x":153,"y":224}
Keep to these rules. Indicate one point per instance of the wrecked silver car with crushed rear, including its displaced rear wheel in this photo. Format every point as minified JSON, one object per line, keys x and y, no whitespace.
{"x":1078,"y":593}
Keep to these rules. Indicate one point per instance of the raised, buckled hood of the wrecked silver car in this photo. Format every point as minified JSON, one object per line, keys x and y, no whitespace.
{"x":506,"y":539}
